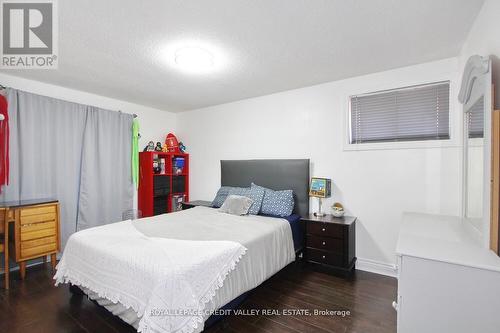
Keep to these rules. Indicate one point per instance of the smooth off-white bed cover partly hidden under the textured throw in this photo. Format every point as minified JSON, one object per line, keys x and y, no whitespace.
{"x":269,"y":243}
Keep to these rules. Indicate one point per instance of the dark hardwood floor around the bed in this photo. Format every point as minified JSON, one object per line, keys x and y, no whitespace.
{"x":35,"y":305}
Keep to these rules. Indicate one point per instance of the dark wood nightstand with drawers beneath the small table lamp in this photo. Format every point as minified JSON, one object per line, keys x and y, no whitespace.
{"x":331,"y":242}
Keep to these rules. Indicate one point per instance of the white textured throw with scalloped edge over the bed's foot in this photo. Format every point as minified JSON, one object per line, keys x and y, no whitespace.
{"x":167,"y":282}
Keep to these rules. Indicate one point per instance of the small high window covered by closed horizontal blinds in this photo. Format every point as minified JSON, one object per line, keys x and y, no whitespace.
{"x":406,"y":114}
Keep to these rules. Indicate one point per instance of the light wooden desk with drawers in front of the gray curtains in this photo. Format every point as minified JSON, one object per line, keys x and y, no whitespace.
{"x":35,"y":228}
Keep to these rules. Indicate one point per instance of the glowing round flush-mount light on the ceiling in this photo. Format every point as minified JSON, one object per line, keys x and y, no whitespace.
{"x":194,"y":59}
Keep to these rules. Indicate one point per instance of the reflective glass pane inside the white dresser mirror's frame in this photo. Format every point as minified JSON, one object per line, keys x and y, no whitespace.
{"x":474,"y":162}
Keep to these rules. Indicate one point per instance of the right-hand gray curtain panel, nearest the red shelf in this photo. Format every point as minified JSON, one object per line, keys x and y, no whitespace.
{"x":106,"y":189}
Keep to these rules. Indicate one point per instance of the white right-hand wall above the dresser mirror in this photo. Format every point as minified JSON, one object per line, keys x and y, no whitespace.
{"x":484,"y":40}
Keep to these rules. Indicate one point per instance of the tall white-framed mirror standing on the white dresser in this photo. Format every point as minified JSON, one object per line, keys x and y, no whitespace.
{"x":478,"y":209}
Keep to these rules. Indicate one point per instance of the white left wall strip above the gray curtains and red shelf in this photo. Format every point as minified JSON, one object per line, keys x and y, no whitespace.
{"x":154,"y":123}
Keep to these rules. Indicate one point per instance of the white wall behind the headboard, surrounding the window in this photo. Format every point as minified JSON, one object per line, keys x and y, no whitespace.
{"x":376,"y":185}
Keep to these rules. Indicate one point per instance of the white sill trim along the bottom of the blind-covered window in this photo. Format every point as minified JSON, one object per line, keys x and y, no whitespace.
{"x":428,"y":144}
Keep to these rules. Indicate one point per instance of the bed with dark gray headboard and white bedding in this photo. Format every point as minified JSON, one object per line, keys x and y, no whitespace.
{"x":172,"y":272}
